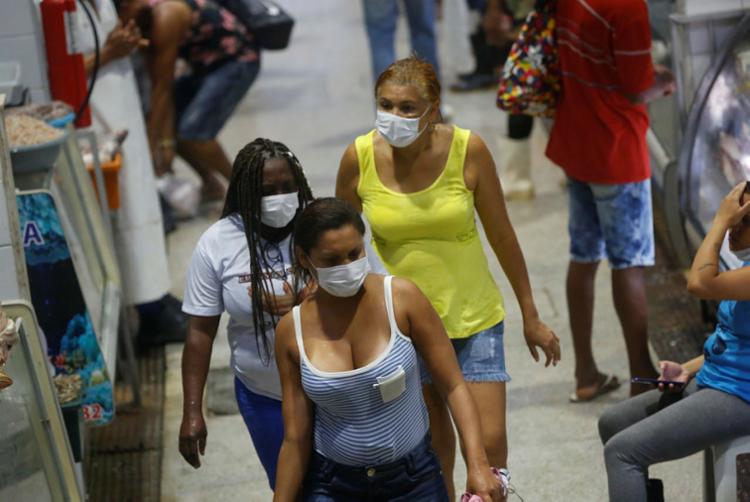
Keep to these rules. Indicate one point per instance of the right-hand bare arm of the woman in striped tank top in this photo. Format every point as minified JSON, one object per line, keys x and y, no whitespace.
{"x":431,"y":342}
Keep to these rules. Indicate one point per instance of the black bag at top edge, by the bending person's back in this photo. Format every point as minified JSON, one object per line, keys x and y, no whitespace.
{"x":270,"y":25}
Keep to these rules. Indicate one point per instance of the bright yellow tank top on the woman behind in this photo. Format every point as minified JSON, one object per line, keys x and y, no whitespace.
{"x":431,"y":238}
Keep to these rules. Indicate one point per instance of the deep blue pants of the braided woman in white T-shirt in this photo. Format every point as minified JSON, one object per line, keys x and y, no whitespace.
{"x":262,"y":416}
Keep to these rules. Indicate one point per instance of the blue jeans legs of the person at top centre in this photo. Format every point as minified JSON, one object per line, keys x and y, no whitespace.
{"x":380,"y":19}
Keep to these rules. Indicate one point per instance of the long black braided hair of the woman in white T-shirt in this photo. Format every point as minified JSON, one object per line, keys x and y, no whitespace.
{"x":243,"y":198}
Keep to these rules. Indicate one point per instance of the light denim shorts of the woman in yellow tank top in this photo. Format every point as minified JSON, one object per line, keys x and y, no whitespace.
{"x":481,"y":357}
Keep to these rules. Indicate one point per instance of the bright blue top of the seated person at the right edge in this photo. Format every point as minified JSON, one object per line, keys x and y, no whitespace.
{"x":727,"y":351}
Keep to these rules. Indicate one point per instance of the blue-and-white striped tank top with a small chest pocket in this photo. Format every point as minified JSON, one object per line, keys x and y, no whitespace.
{"x":370,"y":415}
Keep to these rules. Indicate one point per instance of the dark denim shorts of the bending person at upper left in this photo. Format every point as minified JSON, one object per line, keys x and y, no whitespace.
{"x":204,"y":102}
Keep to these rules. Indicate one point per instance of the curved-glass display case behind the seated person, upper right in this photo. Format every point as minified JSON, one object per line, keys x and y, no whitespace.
{"x":698,"y":137}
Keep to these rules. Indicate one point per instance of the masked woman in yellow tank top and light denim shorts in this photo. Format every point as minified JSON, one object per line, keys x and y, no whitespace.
{"x":419,"y":183}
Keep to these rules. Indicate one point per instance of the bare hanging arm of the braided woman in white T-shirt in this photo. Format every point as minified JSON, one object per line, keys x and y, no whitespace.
{"x":196,"y":358}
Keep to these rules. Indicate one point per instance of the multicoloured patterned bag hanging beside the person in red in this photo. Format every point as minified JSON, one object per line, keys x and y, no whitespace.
{"x":531,"y":76}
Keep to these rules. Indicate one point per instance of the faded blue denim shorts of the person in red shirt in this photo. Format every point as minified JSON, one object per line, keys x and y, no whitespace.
{"x":612,"y":221}
